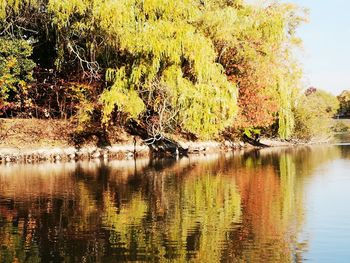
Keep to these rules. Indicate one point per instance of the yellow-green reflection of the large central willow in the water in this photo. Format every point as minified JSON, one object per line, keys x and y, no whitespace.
{"x":198,"y":217}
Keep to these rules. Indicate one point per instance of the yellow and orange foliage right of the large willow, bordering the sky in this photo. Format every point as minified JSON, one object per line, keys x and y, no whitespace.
{"x":257,"y":55}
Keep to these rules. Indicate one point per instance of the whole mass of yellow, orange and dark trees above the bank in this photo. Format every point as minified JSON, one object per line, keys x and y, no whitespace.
{"x":198,"y":67}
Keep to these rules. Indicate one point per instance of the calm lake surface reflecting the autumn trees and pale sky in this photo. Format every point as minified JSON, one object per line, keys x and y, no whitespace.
{"x":272,"y":205}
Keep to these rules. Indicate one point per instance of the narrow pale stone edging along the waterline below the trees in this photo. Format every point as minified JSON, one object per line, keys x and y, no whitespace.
{"x":119,"y":151}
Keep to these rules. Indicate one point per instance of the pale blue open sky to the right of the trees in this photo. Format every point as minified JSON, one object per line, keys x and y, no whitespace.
{"x":326,"y":55}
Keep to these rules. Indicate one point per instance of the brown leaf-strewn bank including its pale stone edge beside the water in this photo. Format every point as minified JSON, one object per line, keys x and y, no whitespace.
{"x":33,"y":140}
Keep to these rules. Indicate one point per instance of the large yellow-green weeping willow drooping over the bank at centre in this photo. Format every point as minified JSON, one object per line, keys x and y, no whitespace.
{"x":161,"y":63}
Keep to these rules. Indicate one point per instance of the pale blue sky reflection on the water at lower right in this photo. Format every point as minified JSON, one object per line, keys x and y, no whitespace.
{"x":328,"y":213}
